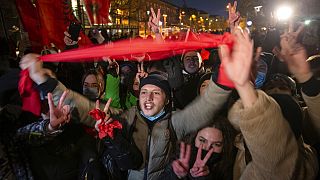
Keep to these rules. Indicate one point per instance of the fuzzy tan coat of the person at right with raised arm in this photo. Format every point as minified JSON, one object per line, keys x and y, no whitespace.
{"x":275,"y":152}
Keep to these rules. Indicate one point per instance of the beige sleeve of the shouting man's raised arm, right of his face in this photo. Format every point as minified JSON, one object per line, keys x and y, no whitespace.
{"x":201,"y":111}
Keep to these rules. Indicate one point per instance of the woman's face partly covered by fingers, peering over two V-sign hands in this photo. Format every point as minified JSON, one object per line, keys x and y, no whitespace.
{"x":210,"y":137}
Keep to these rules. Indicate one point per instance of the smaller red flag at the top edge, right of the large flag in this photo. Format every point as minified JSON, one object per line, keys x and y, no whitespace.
{"x":98,"y":11}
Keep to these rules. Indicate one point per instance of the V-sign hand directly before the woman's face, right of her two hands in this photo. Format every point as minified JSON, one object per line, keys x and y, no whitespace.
{"x":199,"y":167}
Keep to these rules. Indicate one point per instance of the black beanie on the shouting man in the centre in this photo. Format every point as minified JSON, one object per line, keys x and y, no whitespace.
{"x":158,"y":79}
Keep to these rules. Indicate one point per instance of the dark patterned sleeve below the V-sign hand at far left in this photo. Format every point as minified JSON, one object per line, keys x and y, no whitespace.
{"x":36,"y":133}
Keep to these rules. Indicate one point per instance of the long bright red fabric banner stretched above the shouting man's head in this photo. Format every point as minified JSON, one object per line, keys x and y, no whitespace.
{"x":130,"y":48}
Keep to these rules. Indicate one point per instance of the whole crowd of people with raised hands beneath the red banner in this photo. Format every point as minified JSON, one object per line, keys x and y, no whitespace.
{"x":226,"y":115}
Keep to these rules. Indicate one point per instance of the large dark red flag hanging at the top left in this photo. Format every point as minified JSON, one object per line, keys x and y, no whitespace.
{"x":46,"y":20}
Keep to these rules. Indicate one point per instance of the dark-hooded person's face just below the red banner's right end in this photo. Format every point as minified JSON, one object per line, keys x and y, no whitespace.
{"x":191,"y":62}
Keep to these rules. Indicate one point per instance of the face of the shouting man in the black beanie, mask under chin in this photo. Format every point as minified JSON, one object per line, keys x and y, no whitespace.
{"x":151,"y":99}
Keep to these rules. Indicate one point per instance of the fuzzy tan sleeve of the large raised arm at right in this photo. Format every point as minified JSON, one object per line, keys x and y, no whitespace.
{"x":271,"y":142}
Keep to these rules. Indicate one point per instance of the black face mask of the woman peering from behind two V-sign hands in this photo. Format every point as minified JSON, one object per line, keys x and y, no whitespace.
{"x":214,"y":158}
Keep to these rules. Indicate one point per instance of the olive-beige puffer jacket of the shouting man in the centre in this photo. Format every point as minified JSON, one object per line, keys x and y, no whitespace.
{"x":155,"y":144}
